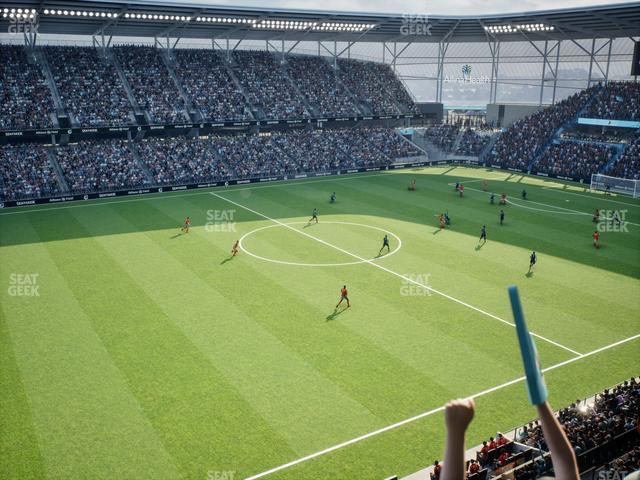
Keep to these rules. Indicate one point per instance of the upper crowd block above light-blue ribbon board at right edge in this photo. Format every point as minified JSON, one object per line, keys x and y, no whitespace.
{"x":616,"y":101}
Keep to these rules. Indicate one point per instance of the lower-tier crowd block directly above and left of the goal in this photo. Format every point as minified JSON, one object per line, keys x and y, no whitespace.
{"x":573,"y":159}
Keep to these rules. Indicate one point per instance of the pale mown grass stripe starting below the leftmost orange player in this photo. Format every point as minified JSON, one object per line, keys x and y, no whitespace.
{"x":278,"y":384}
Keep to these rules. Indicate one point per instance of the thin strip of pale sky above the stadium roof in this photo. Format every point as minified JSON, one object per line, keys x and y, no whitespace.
{"x":450,"y":7}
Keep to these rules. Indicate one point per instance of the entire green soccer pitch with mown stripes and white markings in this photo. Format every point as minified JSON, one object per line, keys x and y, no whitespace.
{"x":131,"y":350}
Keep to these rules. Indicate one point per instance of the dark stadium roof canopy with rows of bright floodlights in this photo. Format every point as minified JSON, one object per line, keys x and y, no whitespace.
{"x":191,"y":20}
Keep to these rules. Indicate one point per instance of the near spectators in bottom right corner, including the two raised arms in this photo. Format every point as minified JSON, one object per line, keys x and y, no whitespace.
{"x":566,"y":439}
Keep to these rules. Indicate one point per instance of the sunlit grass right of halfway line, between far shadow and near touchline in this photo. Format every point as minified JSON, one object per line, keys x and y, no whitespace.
{"x":487,"y":271}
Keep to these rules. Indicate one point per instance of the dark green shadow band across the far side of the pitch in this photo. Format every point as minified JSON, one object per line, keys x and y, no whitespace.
{"x":379,"y":197}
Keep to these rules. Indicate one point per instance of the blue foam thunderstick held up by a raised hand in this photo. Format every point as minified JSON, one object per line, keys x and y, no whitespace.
{"x":535,"y":381}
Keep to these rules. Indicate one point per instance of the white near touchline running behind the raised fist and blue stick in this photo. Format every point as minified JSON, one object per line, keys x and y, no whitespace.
{"x":430,"y":412}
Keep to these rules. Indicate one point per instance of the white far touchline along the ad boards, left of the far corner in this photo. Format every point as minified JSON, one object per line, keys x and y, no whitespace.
{"x":178,"y":193}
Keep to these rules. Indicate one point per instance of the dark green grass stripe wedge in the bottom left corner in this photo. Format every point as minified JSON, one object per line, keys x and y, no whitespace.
{"x":20,"y":455}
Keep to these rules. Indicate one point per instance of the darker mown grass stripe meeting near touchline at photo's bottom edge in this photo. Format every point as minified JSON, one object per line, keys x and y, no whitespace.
{"x":202,"y":421}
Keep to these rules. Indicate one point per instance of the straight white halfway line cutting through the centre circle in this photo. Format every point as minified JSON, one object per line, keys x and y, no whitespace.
{"x":403,"y":277}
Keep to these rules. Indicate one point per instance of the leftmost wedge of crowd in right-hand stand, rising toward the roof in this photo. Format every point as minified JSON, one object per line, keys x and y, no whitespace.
{"x":525,"y":139}
